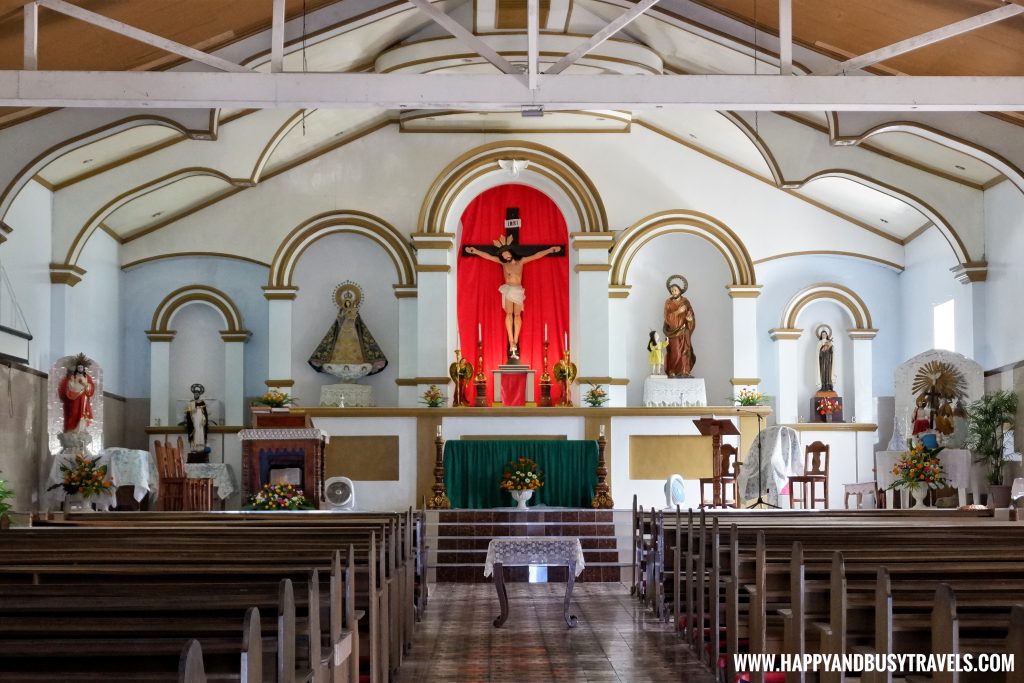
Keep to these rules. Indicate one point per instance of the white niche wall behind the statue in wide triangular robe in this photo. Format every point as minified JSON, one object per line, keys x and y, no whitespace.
{"x":325,"y":266}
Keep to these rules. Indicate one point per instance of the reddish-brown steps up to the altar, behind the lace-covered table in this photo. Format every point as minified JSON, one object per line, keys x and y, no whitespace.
{"x":457,"y":542}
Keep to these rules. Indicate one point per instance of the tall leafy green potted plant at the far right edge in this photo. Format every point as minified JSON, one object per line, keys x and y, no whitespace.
{"x":988,"y":422}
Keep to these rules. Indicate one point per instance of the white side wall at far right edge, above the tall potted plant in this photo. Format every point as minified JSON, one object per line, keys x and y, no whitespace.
{"x":1005,"y":240}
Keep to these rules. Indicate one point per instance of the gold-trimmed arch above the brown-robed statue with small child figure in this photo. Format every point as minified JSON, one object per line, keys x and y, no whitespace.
{"x":689,"y":223}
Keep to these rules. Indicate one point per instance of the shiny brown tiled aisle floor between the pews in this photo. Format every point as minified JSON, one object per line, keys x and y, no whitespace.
{"x":616,"y":641}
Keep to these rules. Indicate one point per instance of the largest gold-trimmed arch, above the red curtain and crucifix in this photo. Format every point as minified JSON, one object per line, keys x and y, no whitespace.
{"x":461,"y":174}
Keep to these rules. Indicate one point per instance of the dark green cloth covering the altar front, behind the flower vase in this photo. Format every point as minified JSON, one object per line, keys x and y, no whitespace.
{"x":474,"y":471}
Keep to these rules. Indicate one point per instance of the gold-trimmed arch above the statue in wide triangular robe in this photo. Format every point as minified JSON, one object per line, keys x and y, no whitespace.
{"x":342,"y":223}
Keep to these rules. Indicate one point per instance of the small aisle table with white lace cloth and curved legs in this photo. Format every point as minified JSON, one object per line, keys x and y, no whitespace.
{"x":528,"y":551}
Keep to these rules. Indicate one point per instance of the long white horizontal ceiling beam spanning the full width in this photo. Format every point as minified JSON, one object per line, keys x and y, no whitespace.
{"x":499,"y":93}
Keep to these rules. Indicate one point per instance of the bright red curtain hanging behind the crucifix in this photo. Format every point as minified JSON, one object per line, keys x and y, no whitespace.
{"x":546,"y":282}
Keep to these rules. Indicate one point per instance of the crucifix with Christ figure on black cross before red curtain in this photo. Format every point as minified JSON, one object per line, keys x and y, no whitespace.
{"x":513,"y":258}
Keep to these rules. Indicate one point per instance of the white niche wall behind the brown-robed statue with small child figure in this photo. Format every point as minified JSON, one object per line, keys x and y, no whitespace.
{"x":708,"y":276}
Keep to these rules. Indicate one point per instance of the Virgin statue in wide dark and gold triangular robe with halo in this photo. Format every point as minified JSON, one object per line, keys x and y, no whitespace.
{"x":349,"y":351}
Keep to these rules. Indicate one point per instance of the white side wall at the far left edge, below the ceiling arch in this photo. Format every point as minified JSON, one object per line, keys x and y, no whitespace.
{"x":26,"y":258}
